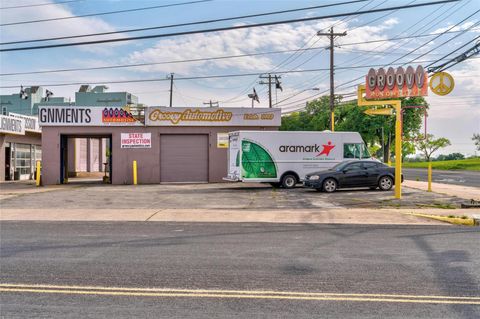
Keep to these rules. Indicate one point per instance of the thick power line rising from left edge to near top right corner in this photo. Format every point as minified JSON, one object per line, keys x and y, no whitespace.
{"x":225,"y":28}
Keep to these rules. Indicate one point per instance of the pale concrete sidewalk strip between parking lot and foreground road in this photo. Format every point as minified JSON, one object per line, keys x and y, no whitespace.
{"x":299,"y":216}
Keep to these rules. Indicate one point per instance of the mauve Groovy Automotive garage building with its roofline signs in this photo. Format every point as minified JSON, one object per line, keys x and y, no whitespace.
{"x":168,"y":144}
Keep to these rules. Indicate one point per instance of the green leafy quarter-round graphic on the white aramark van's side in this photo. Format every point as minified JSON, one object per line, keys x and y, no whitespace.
{"x":256,"y":161}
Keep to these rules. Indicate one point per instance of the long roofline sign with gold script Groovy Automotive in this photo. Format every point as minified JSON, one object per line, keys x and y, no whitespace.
{"x":165,"y":116}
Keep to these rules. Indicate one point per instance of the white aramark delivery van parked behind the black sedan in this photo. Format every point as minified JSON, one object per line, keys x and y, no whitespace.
{"x":284,"y":158}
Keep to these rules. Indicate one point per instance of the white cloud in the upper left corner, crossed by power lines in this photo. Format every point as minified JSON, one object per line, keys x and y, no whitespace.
{"x":57,"y":28}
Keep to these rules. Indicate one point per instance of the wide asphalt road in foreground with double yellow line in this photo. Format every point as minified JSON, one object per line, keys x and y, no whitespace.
{"x":103,"y":270}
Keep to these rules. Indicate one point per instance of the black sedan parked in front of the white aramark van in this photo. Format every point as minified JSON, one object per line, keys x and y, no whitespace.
{"x":350,"y":174}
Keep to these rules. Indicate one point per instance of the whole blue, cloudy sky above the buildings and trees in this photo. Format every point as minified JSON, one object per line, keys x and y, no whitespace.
{"x":455,"y":116}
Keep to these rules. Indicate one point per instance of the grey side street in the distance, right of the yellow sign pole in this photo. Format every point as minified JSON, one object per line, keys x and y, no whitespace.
{"x":465,"y":178}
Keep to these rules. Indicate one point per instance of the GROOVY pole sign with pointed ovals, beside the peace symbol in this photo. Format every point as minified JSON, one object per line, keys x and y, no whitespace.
{"x":396,"y":83}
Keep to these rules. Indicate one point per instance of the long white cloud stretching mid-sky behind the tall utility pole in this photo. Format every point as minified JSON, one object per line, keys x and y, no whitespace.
{"x":244,"y":41}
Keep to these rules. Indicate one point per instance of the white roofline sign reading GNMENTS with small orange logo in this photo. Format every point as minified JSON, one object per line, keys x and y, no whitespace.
{"x":85,"y":116}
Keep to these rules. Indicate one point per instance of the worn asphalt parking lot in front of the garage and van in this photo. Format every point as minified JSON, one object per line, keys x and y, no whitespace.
{"x":213,"y":196}
